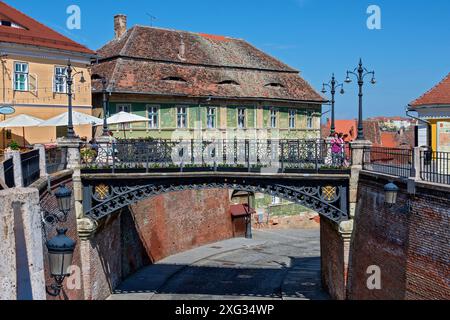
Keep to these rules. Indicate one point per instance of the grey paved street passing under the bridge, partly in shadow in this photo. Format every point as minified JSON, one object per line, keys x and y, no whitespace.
{"x":282,"y":264}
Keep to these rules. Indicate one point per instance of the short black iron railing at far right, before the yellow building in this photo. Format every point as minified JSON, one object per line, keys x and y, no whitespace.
{"x":435,"y":166}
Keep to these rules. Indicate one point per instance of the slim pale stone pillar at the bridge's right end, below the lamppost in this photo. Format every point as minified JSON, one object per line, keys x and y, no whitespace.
{"x":357,"y":148}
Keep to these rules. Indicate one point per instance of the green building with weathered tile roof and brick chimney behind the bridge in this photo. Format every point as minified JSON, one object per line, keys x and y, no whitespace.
{"x":198,"y":85}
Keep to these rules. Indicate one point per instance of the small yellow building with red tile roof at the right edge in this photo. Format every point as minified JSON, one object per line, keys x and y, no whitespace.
{"x":434,"y":110}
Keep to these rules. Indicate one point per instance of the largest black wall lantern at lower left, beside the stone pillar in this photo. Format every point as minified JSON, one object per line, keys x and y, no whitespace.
{"x":60,"y":252}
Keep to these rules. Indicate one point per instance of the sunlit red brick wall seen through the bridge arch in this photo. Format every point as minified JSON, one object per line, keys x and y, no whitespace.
{"x":179,"y":221}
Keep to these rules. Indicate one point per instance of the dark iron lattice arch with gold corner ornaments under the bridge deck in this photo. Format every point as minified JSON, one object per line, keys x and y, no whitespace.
{"x":103,"y":197}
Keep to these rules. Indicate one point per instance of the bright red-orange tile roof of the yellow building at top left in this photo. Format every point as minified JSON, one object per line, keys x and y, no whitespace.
{"x":34,"y":33}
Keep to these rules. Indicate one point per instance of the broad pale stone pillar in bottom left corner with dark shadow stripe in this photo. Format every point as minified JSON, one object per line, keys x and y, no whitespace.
{"x":21,"y":246}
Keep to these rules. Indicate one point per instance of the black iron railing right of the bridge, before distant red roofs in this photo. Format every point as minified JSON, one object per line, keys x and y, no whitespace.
{"x":391,"y":161}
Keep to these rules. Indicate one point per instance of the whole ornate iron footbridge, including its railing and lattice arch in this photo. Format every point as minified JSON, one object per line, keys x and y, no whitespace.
{"x":117,"y":175}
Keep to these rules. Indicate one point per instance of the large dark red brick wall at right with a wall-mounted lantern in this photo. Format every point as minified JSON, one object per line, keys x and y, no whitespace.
{"x":412,"y":249}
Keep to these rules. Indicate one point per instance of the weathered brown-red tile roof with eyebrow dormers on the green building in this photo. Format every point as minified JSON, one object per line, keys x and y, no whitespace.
{"x":144,"y":57}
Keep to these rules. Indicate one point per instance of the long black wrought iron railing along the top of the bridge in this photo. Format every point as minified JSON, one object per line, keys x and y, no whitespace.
{"x":220,"y":155}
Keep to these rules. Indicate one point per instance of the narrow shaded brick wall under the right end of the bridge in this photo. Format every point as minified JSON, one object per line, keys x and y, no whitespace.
{"x":334,"y":265}
